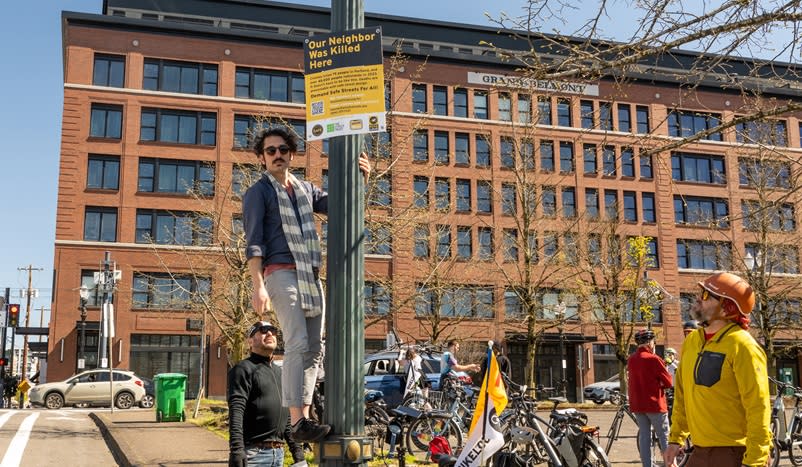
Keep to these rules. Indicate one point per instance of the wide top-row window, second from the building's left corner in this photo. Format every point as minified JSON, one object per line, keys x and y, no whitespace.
{"x":183,"y":77}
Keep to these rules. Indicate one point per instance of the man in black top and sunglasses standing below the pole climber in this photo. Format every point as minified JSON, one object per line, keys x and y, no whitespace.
{"x":258,"y":424}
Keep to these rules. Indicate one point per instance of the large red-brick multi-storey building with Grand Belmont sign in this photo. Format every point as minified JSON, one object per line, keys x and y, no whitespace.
{"x":158,"y":101}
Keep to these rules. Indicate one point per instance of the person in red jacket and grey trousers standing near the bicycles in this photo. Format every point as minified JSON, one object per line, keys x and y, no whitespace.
{"x":648,"y":379}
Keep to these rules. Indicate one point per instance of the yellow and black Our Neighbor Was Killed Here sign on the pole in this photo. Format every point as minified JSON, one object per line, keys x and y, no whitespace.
{"x":344,"y":84}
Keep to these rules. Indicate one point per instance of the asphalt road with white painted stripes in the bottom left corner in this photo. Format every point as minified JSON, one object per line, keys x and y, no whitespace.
{"x":66,"y":437}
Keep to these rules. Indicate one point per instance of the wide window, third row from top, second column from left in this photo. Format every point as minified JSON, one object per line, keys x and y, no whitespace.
{"x":174,"y":176}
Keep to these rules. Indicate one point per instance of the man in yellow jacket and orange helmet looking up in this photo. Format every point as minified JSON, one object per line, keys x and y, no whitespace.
{"x":721,"y":390}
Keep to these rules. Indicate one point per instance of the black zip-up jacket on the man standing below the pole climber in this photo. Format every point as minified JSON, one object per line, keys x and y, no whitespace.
{"x":255,"y":413}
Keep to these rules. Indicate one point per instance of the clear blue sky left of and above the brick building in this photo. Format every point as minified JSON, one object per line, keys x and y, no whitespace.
{"x":31,"y":93}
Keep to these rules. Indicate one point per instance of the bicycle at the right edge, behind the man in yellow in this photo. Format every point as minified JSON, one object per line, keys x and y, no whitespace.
{"x":786,"y":436}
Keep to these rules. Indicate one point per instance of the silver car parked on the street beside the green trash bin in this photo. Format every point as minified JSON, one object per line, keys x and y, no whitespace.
{"x":90,"y":388}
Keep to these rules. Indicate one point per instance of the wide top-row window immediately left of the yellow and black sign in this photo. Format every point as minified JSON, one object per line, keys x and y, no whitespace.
{"x":281,"y":86}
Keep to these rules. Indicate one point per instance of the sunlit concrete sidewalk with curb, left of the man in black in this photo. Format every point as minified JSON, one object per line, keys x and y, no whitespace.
{"x":136,"y":439}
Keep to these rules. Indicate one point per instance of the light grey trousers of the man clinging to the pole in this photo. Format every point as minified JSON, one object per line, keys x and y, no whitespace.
{"x":303,"y":349}
